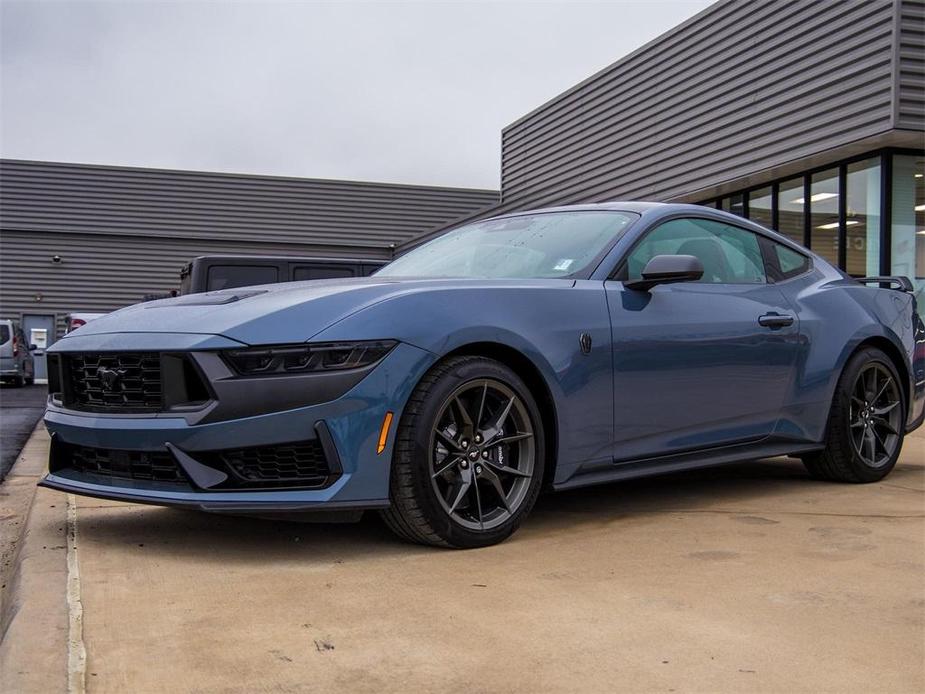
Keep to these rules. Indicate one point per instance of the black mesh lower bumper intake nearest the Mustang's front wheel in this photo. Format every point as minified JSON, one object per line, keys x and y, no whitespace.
{"x":291,"y":465}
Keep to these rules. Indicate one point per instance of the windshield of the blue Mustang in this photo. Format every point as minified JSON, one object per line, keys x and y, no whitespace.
{"x":535,"y":246}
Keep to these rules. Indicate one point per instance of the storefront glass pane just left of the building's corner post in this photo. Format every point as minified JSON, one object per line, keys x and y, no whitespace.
{"x":862,"y":221}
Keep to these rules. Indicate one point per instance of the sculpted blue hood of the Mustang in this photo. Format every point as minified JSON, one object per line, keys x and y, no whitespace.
{"x":277,"y":313}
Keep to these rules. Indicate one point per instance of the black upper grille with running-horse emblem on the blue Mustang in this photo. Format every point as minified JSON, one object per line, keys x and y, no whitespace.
{"x":127,"y":382}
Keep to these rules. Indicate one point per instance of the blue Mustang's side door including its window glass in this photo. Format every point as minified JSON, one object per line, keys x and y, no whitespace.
{"x":699,"y":364}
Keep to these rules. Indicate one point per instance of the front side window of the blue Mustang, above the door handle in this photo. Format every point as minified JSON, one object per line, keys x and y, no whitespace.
{"x":730,"y":255}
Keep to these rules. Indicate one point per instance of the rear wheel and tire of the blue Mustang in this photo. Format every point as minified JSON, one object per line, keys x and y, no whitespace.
{"x":852,"y":454}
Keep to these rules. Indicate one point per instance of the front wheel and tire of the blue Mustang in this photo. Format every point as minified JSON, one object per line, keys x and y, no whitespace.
{"x":431,"y":502}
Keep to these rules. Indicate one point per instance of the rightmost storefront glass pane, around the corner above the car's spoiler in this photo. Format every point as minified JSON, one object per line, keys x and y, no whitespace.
{"x":908,"y":217}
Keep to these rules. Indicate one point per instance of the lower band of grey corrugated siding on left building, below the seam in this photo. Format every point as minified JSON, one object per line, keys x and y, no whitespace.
{"x":100,"y":273}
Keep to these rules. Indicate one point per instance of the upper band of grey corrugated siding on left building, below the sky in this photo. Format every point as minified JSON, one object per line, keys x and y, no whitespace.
{"x":56,"y":197}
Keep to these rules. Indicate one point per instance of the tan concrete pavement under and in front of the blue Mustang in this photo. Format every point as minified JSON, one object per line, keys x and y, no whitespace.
{"x":744,"y":578}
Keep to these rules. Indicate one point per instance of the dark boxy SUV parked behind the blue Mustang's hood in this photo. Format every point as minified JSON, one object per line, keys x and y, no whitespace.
{"x":211,"y":272}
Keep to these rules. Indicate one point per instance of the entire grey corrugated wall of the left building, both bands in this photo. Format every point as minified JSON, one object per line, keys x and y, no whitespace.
{"x":125,"y":232}
